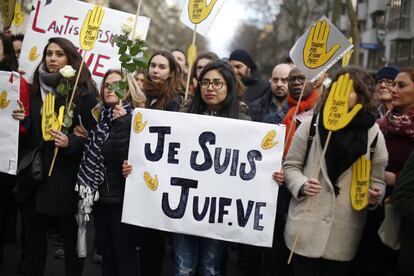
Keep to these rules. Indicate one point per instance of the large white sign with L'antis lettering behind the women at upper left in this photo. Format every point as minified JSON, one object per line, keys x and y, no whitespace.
{"x":64,"y":18}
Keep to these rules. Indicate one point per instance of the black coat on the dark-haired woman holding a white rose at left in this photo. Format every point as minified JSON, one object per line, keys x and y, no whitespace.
{"x":55,"y":195}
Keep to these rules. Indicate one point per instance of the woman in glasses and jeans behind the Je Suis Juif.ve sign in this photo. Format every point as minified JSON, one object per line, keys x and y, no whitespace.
{"x":216,"y":95}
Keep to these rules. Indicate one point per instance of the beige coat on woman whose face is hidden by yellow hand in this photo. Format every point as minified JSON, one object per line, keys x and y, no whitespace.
{"x":330,"y":228}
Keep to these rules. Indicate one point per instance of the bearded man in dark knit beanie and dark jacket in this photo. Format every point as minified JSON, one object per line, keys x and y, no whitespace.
{"x":245,"y":67}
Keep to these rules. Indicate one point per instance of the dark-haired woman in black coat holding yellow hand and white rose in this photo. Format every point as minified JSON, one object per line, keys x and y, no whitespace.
{"x":54,"y":198}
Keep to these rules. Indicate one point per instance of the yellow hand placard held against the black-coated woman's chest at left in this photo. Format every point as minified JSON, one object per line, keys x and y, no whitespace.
{"x":49,"y":119}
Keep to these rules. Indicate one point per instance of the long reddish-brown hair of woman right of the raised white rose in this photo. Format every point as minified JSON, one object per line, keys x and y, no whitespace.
{"x":168,"y":88}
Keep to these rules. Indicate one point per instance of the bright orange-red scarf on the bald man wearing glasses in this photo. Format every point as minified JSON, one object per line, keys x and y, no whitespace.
{"x":304,"y":105}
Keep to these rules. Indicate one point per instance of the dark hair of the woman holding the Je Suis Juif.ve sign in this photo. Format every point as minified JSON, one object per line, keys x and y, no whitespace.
{"x":230,"y":105}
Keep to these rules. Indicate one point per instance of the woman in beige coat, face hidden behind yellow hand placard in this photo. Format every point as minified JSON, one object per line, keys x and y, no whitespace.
{"x":327,"y":211}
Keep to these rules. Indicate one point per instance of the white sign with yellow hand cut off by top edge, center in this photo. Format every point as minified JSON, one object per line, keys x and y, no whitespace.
{"x":200,"y":12}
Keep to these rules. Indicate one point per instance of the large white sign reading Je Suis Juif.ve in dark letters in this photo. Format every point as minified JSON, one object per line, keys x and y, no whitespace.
{"x":203,"y":175}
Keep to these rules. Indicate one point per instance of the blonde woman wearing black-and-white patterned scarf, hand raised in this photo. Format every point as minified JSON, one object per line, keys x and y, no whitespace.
{"x":100,"y":176}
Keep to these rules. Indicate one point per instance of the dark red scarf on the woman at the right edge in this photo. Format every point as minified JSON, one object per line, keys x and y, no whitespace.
{"x":395,"y":124}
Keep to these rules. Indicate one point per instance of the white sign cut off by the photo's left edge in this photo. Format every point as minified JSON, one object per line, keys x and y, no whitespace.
{"x":9,"y":131}
